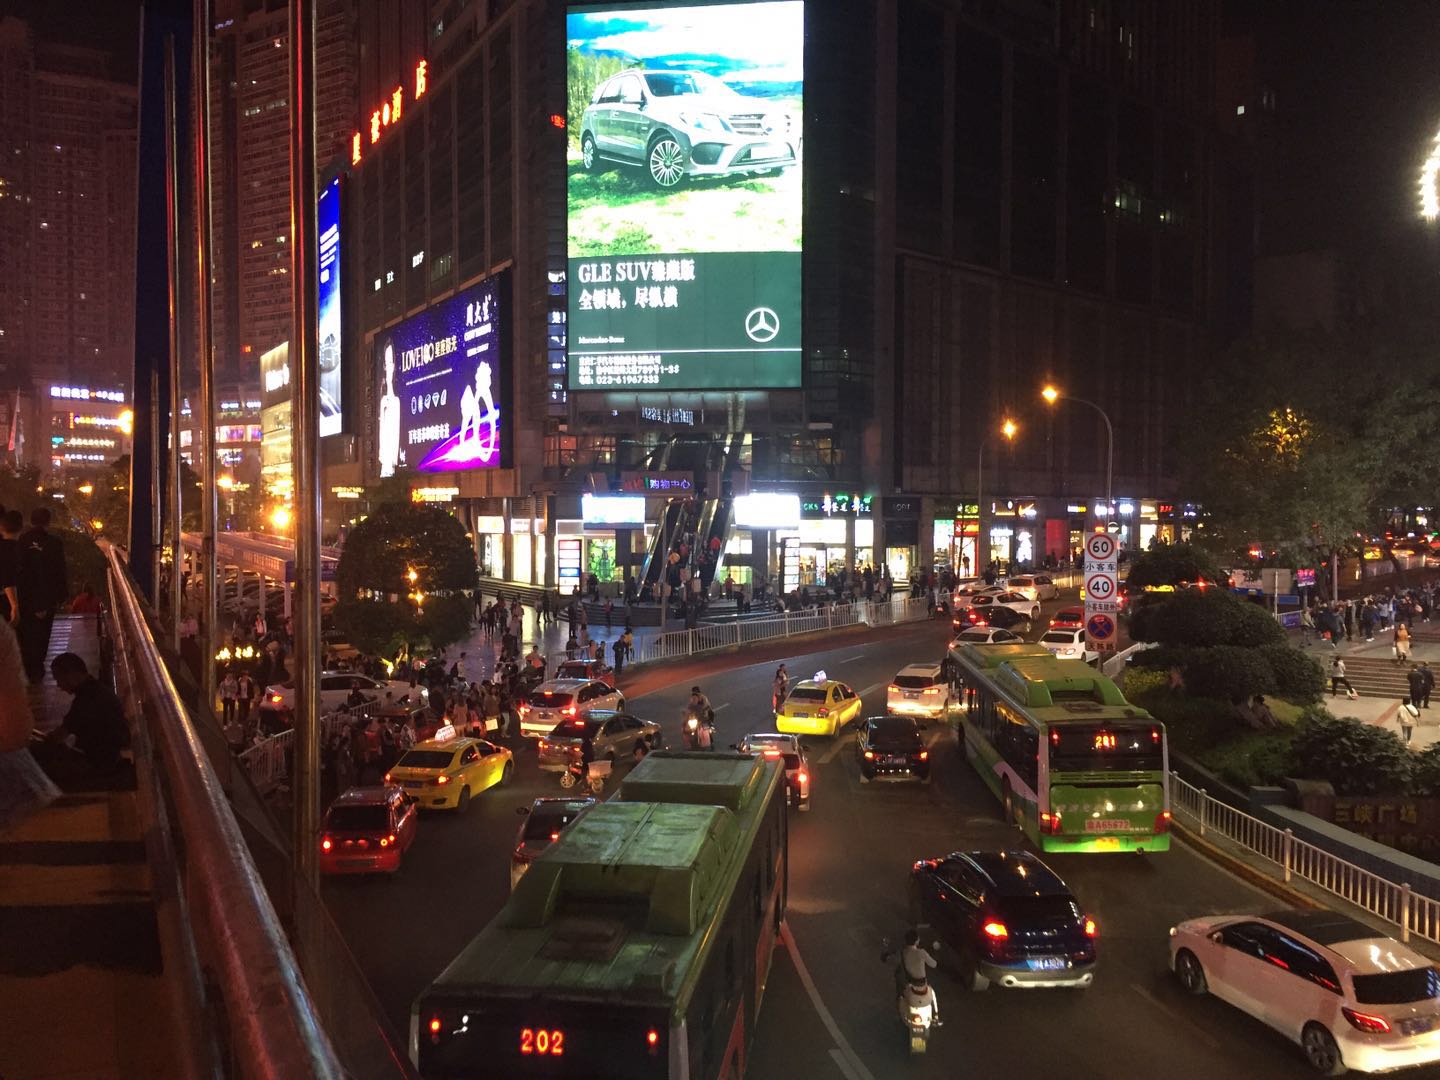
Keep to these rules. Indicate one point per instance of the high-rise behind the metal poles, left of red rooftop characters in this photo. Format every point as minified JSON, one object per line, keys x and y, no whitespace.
{"x":250,"y":119}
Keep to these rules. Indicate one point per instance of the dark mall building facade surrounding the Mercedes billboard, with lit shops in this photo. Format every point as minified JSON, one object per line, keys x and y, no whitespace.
{"x":997,"y":198}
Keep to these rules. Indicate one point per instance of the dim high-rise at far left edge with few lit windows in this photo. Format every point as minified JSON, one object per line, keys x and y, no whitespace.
{"x":67,"y":212}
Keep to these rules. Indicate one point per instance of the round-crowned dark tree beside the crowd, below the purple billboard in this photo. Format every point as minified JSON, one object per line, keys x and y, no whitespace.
{"x":405,"y":577}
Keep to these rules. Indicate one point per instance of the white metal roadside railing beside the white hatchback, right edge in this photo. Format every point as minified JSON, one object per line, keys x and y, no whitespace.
{"x":1300,"y":859}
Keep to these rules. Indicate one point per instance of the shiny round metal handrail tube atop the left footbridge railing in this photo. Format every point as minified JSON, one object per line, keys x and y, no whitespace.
{"x":273,"y":1025}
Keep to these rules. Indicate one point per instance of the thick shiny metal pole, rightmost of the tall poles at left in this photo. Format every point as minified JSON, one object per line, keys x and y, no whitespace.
{"x":306,"y":434}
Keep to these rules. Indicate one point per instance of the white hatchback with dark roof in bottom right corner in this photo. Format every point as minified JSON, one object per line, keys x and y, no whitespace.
{"x":1349,"y":996}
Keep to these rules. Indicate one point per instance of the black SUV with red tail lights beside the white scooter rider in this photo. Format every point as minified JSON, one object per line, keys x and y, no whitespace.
{"x":1006,"y":918}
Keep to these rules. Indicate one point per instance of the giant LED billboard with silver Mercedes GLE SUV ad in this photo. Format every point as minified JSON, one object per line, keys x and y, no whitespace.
{"x":685,"y":178}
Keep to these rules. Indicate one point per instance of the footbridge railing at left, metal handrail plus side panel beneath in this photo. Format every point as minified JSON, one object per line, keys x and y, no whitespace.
{"x":246,"y":1000}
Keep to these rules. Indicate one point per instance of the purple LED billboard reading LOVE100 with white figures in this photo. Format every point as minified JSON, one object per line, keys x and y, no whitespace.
{"x":444,"y":397}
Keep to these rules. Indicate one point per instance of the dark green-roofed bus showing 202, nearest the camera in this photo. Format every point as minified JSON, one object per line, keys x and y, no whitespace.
{"x":636,"y":947}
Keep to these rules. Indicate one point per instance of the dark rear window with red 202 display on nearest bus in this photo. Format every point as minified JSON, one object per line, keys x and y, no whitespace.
{"x":546,"y":1039}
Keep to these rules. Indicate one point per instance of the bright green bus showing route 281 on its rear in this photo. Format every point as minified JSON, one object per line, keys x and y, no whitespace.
{"x":1076,"y":765}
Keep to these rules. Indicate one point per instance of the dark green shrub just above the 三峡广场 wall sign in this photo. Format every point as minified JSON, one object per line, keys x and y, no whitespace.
{"x":1356,"y":758}
